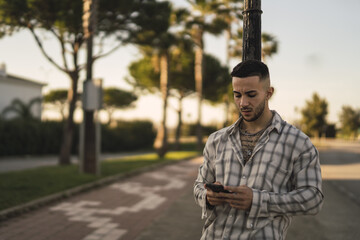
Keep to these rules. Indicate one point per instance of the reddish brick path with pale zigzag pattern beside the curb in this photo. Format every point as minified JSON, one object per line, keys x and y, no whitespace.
{"x":122,"y":210}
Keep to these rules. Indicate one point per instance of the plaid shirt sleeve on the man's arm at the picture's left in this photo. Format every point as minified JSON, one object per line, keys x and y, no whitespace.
{"x":206,"y":174}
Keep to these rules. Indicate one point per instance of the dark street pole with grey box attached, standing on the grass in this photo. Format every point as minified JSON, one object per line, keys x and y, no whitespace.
{"x":89,"y":149}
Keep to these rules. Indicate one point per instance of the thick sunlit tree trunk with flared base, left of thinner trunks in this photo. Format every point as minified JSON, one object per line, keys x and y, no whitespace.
{"x":161,"y":144}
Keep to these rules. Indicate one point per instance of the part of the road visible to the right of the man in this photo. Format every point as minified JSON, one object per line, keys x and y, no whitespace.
{"x":340,"y":216}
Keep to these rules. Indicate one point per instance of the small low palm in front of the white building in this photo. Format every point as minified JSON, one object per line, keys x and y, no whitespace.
{"x":22,"y":109}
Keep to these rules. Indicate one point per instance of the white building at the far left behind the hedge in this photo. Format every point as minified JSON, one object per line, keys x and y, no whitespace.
{"x":13,"y":87}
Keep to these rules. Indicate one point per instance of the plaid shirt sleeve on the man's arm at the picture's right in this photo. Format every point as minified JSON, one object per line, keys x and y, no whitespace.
{"x":305,"y":198}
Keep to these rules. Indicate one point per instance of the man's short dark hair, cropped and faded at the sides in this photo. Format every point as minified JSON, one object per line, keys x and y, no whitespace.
{"x":250,"y":68}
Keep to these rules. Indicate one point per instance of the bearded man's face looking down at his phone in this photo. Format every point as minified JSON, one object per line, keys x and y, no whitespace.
{"x":250,"y":97}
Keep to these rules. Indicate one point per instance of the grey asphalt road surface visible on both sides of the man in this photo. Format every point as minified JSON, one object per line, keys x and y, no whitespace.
{"x":338,"y":220}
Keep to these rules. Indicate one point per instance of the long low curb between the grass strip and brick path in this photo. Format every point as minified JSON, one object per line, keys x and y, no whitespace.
{"x":37,"y":203}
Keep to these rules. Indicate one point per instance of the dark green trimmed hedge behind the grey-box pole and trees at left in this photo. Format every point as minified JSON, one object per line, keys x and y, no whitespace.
{"x":19,"y":137}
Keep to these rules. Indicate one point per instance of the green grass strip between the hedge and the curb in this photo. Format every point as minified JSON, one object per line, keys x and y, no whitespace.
{"x":20,"y":187}
